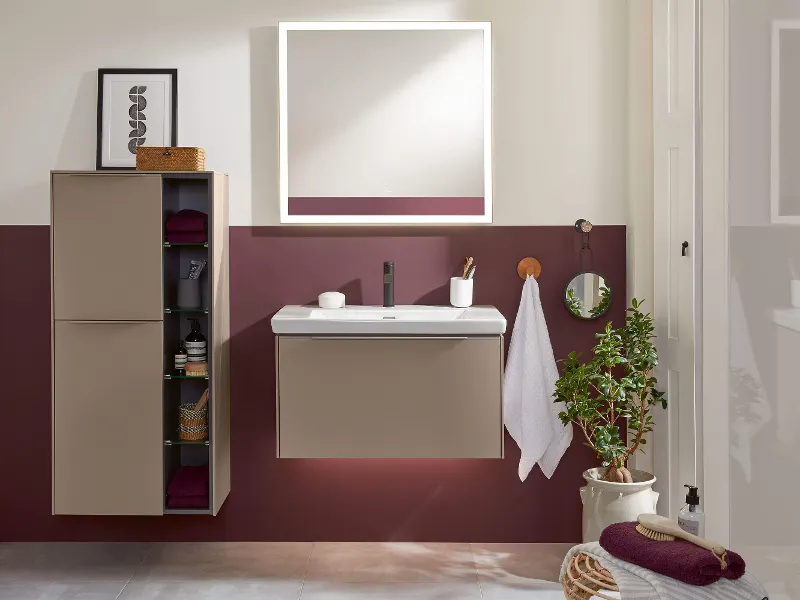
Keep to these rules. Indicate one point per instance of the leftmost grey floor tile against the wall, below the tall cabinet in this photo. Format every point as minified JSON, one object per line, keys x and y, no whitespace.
{"x":70,"y":562}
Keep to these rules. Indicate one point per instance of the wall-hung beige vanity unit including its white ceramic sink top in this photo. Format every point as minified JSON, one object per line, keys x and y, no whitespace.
{"x":400,"y":382}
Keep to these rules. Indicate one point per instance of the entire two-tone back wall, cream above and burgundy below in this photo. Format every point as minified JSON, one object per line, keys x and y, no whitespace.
{"x":572,"y":131}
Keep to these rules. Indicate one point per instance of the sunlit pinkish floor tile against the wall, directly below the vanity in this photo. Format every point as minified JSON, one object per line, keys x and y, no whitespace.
{"x":390,"y":562}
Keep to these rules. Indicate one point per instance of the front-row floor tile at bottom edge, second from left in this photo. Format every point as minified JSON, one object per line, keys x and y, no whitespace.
{"x":212,"y":590}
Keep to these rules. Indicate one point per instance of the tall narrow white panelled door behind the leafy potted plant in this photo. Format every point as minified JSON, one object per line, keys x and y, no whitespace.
{"x":675,"y":445}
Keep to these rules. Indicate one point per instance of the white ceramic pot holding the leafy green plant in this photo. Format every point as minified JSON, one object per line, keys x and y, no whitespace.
{"x":606,"y":502}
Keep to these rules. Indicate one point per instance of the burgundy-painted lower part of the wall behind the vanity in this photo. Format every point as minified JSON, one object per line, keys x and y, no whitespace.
{"x":271,"y":499}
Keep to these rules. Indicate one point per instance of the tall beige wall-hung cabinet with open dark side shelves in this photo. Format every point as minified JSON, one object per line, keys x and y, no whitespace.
{"x":116,"y":326}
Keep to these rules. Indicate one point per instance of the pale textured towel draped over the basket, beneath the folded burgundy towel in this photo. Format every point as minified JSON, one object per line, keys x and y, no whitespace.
{"x":637,"y":583}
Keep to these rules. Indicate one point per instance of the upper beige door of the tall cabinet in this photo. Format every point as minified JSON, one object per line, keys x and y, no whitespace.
{"x":107,"y":247}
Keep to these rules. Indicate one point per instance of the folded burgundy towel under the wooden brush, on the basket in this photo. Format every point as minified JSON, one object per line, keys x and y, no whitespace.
{"x":679,"y":559}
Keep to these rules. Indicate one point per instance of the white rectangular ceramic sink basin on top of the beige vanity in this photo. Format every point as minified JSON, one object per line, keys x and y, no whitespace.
{"x":398,"y":320}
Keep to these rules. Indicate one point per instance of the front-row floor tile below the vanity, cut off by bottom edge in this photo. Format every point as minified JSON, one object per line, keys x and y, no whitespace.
{"x":454,"y":590}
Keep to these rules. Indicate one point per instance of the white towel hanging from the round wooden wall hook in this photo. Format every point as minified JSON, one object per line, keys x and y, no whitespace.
{"x":531,"y":416}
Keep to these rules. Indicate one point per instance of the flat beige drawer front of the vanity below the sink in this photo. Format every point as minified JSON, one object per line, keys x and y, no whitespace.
{"x":390,"y":397}
